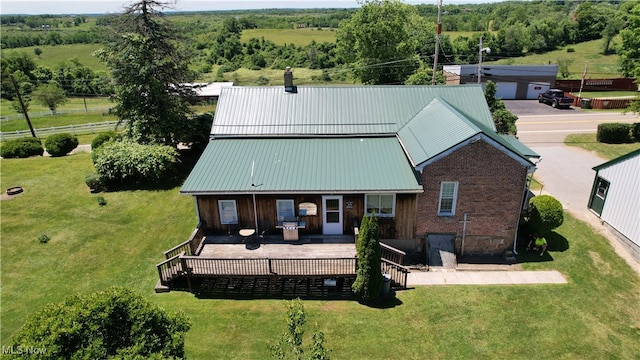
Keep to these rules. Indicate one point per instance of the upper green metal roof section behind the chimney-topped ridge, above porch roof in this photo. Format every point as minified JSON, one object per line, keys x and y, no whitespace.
{"x":337,"y":110}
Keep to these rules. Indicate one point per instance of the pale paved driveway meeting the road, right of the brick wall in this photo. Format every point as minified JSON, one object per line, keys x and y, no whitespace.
{"x":567,"y":172}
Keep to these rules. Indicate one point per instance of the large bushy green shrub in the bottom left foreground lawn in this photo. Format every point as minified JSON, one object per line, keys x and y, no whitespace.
{"x":115,"y":323}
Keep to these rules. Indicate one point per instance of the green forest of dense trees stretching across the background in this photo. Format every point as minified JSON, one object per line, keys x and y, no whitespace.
{"x":214,"y":39}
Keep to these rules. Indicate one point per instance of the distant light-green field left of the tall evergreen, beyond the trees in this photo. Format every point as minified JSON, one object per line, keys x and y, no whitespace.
{"x":52,"y":56}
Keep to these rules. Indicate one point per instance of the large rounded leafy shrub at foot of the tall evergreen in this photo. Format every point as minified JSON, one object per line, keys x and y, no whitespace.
{"x":127,"y":162}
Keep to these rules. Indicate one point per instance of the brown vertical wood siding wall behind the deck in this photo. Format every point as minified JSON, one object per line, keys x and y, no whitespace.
{"x":401,"y":226}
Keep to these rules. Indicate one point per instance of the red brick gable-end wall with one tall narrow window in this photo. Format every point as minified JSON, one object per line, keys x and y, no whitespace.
{"x":490,"y":190}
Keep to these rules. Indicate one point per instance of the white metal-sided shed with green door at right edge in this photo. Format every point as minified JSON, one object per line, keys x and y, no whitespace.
{"x":615,"y":198}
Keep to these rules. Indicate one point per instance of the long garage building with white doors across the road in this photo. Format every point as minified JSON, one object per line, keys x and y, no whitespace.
{"x":512,"y":81}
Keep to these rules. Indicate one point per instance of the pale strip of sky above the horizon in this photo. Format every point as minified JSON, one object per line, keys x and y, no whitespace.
{"x":39,"y":7}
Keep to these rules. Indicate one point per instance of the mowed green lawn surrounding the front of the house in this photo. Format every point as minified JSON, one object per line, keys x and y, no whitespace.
{"x":594,"y":316}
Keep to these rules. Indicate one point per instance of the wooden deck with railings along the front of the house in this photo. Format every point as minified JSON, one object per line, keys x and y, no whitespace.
{"x":271,"y":258}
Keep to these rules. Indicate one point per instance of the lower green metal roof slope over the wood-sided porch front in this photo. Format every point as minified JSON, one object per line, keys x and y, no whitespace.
{"x":286,"y":165}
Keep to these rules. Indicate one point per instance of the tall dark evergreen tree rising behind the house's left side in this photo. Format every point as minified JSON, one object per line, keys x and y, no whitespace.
{"x":151,"y":74}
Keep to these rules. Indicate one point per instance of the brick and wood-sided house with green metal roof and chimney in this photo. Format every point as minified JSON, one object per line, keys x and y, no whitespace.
{"x":425,"y":159}
